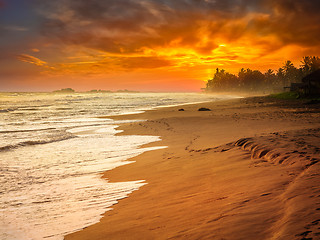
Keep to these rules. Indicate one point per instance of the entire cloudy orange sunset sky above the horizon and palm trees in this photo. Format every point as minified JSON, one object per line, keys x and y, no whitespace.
{"x":148,"y":45}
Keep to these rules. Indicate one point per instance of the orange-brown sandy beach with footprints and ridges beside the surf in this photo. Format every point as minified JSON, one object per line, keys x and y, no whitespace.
{"x":248,"y":169}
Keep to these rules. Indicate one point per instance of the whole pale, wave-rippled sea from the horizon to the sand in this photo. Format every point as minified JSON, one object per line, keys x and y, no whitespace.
{"x":53,"y":149}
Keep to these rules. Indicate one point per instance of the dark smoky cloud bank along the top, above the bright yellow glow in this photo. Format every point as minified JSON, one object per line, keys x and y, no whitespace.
{"x":126,"y":26}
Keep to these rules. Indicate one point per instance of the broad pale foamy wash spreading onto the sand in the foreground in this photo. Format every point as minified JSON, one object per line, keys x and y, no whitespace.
{"x":53,"y":189}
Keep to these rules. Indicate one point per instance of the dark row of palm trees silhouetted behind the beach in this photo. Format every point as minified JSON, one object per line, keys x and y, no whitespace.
{"x":256,"y":81}
